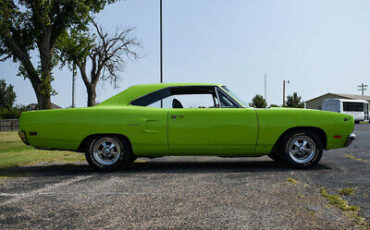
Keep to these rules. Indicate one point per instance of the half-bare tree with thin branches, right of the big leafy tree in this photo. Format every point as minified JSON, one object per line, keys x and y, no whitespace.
{"x":106,"y":53}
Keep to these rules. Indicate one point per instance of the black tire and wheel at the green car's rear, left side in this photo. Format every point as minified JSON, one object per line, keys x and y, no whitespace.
{"x":121,"y":160}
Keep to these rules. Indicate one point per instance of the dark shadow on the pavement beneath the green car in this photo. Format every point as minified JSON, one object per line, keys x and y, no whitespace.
{"x":154,"y":167}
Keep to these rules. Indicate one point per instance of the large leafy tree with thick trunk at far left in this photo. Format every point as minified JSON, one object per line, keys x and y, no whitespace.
{"x":36,"y":25}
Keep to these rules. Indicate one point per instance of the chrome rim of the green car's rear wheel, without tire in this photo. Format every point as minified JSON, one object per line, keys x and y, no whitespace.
{"x":106,"y":151}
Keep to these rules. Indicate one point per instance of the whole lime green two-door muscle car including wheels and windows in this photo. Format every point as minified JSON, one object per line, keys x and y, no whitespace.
{"x":155,"y":120}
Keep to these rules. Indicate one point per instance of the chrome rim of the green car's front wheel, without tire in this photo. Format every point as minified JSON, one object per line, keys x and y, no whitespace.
{"x":302,"y":149}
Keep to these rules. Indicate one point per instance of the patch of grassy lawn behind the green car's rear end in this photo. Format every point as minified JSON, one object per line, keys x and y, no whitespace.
{"x":14,"y":153}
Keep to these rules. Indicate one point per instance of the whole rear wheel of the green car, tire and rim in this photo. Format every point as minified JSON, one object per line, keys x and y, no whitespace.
{"x":108,"y":153}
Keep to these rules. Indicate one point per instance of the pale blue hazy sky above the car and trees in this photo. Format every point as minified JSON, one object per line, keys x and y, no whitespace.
{"x":320,"y":46}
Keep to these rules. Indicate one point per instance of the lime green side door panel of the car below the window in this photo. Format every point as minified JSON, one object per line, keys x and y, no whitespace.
{"x":212,"y":131}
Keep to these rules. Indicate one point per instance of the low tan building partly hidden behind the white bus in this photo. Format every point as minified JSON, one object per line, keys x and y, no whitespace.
{"x":316,"y":103}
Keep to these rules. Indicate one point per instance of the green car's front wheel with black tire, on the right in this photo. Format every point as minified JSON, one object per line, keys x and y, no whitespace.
{"x":309,"y":159}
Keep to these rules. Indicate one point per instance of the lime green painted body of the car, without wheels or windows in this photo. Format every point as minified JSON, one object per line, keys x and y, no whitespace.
{"x":152,"y":132}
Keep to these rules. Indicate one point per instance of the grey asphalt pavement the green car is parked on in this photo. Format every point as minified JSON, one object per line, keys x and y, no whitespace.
{"x":189,"y":192}
